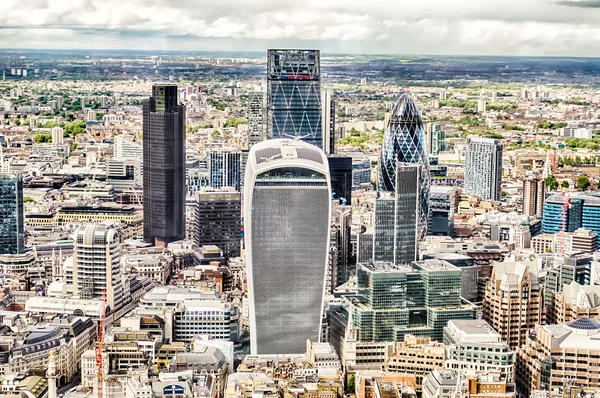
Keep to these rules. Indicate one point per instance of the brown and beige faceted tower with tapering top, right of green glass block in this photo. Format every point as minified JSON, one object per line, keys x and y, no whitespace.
{"x":512,"y":314}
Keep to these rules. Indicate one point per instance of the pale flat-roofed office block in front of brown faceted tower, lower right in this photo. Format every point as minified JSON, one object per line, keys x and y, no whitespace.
{"x":474,"y":345}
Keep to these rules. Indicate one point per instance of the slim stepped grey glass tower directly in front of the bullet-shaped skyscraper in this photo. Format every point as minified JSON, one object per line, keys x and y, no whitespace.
{"x":396,"y":218}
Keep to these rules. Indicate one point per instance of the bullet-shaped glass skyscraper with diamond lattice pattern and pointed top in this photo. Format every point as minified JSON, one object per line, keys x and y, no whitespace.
{"x":404,"y":141}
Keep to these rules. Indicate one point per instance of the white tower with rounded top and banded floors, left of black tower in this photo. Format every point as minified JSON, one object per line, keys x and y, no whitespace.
{"x":97,"y":265}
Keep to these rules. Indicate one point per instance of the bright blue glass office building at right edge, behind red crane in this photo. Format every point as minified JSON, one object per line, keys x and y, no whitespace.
{"x":583,"y":212}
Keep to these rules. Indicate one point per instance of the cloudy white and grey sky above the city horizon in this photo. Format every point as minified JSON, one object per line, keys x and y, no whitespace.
{"x":444,"y":27}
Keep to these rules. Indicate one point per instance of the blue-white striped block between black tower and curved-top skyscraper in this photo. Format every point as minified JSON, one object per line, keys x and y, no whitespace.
{"x":225,"y":169}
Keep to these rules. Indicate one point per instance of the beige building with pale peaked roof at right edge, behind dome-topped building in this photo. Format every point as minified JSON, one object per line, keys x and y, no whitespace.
{"x":574,"y":302}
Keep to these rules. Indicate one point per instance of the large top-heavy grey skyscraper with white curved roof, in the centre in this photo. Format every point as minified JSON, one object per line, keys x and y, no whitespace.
{"x":287,"y":221}
